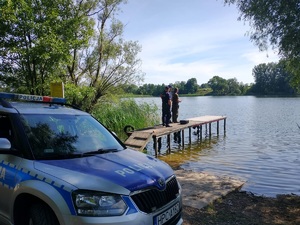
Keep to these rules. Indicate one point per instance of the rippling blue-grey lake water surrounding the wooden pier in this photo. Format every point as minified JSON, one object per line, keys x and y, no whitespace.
{"x":261,"y":144}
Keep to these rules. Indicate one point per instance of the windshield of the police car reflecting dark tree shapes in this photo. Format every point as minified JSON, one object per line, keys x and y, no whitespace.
{"x":60,"y":136}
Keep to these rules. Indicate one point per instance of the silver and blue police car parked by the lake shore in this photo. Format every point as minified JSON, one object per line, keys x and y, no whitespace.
{"x":60,"y":166}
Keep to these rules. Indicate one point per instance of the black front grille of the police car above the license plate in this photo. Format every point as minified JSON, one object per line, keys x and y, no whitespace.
{"x":153,"y":199}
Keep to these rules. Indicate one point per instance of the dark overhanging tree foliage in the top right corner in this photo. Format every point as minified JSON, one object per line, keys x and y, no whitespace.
{"x":274,"y":22}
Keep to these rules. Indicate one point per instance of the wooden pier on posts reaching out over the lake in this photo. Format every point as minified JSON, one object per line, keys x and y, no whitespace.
{"x":138,"y":139}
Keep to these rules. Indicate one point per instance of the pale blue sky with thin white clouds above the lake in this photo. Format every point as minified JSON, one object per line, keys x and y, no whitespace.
{"x":184,"y":39}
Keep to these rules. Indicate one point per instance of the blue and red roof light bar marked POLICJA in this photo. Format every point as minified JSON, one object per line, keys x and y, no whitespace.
{"x":36,"y":98}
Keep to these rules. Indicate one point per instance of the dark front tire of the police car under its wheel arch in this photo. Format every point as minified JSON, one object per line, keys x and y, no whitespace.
{"x":41,"y":214}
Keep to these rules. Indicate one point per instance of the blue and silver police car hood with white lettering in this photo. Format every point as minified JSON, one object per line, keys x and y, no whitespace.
{"x":113,"y":172}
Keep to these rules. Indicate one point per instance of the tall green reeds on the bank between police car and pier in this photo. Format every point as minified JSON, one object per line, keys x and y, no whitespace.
{"x":117,"y":115}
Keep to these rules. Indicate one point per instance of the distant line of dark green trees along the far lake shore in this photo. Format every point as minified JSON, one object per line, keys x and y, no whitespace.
{"x":270,"y":79}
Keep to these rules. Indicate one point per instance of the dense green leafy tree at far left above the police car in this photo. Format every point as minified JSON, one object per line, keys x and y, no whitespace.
{"x":36,"y":38}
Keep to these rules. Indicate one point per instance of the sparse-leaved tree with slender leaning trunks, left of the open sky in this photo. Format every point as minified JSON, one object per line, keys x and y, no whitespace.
{"x":107,"y":64}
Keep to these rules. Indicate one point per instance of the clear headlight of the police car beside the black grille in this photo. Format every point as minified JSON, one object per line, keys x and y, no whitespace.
{"x":90,"y":203}
